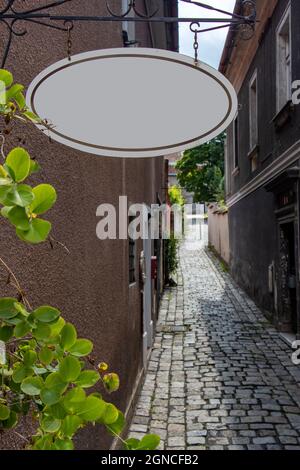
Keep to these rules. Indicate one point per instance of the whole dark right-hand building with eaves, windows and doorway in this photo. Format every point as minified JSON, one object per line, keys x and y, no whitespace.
{"x":263,"y":161}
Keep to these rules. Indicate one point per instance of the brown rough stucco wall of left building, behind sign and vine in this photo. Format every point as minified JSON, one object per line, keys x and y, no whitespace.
{"x":89,"y":285}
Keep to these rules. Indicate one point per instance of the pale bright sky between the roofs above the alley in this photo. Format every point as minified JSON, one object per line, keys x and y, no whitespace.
{"x":211,"y":43}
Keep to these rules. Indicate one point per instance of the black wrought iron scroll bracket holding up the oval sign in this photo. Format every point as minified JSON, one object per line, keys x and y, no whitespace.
{"x":45,"y":15}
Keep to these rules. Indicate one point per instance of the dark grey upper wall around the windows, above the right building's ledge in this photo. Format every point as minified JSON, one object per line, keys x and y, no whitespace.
{"x":271,"y":144}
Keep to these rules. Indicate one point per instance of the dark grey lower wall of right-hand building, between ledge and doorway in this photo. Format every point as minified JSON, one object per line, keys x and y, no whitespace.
{"x":252,"y":234}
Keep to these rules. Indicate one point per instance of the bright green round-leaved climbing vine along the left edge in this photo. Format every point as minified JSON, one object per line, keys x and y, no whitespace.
{"x":45,"y":369}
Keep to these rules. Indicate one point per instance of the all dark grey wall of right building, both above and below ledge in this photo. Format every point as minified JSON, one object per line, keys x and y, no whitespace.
{"x":252,"y":222}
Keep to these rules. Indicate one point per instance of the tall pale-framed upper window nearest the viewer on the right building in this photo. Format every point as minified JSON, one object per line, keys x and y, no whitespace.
{"x":284,"y":70}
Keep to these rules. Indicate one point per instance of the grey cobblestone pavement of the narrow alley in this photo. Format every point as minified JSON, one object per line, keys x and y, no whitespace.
{"x":220,"y":377}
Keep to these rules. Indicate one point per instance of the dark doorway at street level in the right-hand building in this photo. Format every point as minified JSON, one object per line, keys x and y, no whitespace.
{"x":288,"y":280}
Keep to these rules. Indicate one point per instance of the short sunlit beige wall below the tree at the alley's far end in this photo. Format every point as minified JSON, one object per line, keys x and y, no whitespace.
{"x":218,"y":233}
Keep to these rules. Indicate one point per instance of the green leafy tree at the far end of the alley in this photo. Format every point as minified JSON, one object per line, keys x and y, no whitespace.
{"x":201,"y":171}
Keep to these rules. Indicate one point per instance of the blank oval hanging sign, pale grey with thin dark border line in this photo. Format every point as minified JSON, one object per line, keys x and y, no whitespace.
{"x":132,"y":102}
